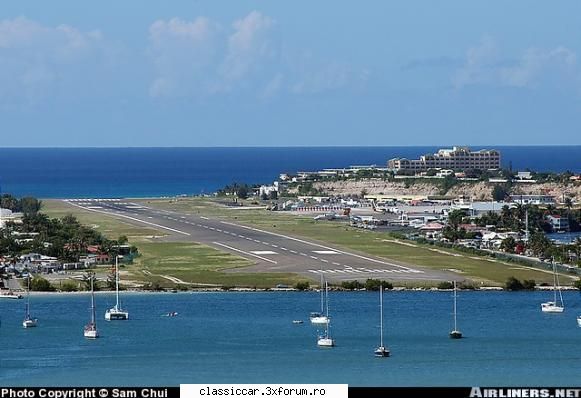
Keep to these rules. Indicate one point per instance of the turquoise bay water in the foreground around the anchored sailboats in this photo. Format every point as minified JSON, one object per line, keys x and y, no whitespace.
{"x":250,"y":338}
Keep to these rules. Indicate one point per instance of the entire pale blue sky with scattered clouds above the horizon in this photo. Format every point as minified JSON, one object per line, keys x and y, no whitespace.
{"x":293,"y":73}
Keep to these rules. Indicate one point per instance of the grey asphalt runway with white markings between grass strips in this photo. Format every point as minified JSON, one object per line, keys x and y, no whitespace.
{"x":270,"y":251}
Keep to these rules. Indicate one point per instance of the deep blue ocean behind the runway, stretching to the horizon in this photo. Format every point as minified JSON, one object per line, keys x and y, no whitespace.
{"x":153,"y":172}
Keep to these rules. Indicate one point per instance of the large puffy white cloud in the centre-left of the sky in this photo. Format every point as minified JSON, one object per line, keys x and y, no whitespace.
{"x":201,"y":58}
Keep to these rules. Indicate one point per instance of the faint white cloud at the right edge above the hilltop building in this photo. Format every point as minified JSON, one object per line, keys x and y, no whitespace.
{"x":535,"y":66}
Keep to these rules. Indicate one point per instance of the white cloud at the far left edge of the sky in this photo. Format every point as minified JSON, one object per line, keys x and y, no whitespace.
{"x":36,"y":59}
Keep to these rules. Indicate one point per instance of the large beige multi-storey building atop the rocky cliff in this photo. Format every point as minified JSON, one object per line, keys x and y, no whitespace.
{"x":457,"y":158}
